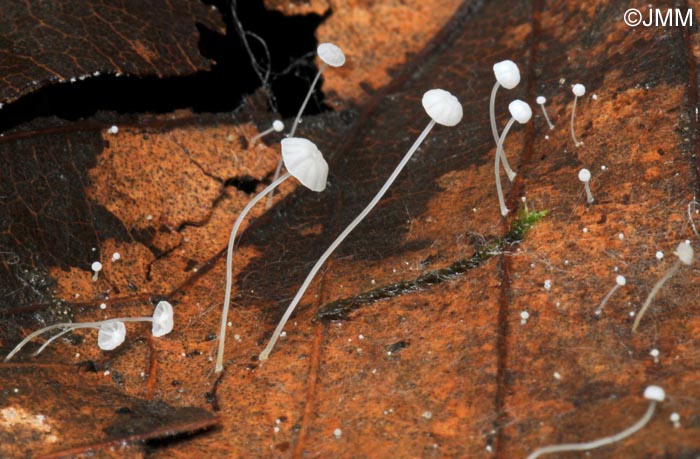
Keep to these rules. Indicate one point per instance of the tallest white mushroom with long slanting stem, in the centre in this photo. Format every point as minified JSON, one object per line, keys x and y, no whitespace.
{"x":443,"y":108}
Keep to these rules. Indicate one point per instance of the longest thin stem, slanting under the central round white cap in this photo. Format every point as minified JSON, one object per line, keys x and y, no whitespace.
{"x":290,"y":309}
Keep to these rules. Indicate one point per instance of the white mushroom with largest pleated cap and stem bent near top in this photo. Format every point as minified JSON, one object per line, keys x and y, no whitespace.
{"x":304,"y":162}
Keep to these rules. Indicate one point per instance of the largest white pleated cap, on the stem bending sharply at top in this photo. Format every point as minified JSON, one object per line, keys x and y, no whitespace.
{"x":305,"y":162}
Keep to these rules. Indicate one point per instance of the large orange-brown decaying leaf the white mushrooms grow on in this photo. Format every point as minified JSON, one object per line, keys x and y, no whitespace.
{"x":449,"y":369}
